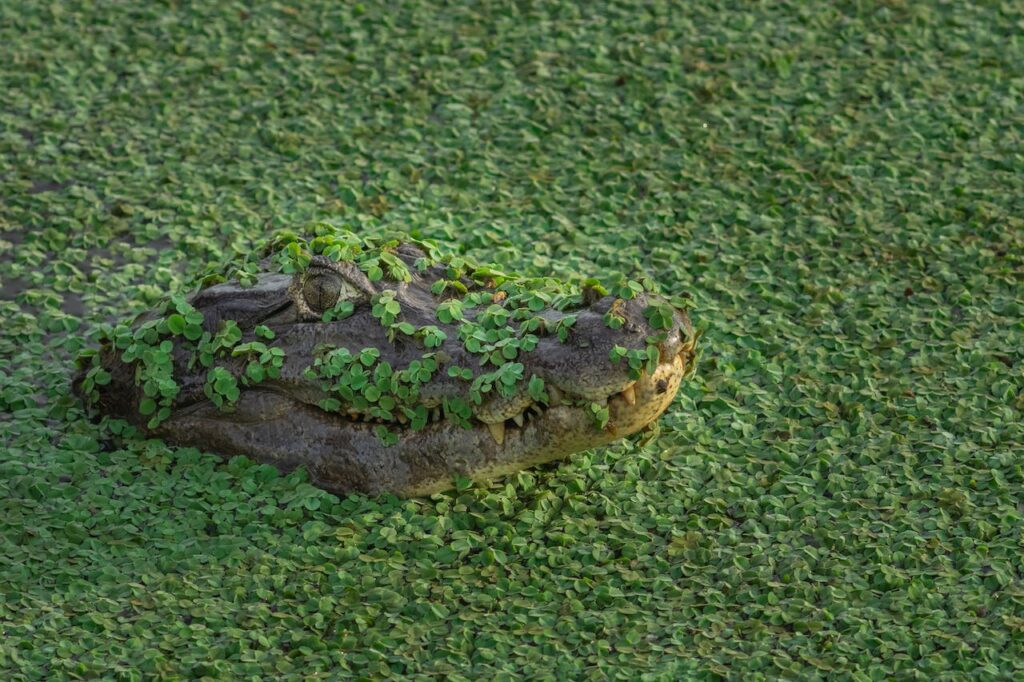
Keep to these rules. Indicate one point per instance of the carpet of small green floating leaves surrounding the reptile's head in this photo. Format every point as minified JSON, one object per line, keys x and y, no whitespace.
{"x":838,"y":188}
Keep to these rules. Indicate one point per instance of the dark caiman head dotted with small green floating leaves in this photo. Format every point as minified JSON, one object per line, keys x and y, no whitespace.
{"x":382,"y":365}
